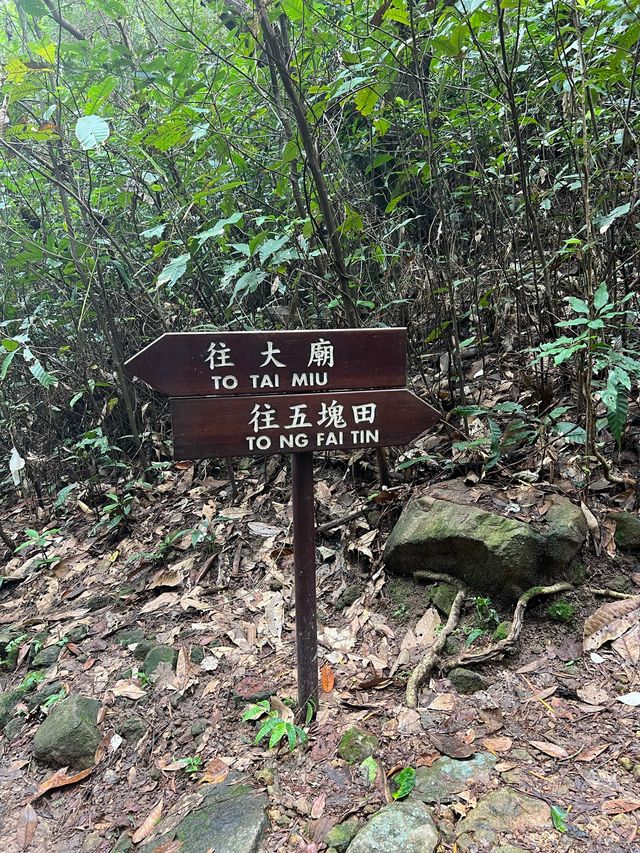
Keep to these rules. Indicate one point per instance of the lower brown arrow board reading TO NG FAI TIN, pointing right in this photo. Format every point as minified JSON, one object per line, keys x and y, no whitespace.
{"x":290,"y":423}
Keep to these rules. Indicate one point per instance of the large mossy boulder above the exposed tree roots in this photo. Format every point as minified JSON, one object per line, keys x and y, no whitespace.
{"x":498,"y":555}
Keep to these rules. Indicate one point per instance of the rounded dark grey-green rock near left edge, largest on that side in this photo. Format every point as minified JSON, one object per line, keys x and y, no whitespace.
{"x":69,"y":736}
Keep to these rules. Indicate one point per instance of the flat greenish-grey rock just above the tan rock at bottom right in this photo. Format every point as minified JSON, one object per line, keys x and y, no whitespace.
{"x":449,"y":776}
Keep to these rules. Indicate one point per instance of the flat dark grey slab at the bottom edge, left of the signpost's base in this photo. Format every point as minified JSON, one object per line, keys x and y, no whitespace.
{"x":229,"y":819}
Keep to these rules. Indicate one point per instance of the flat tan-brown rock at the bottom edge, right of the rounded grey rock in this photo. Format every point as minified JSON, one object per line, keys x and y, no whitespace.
{"x":504,"y":812}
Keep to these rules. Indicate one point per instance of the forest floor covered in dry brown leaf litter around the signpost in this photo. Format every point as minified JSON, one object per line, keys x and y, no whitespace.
{"x":549,"y":714}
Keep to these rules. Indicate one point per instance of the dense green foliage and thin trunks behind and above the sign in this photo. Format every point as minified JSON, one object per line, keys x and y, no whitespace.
{"x":467,"y":168}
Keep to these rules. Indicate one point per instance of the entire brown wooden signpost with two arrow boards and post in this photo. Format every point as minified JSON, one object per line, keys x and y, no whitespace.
{"x":255,"y":393}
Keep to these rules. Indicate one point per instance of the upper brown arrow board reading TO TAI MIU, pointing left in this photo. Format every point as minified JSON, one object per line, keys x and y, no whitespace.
{"x":193,"y":364}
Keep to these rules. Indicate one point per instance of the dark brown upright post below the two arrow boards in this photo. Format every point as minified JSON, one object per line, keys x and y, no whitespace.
{"x":304,"y":548}
